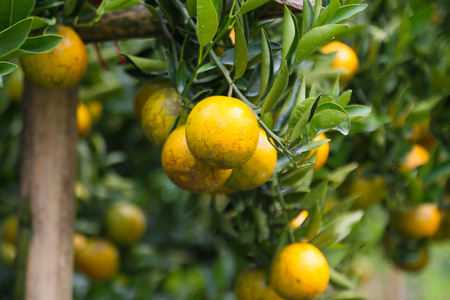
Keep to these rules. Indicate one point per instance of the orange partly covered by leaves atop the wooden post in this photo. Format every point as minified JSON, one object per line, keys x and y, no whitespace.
{"x":60,"y":68}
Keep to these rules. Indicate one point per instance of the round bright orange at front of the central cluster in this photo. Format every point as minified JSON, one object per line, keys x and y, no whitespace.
{"x":222,"y":132}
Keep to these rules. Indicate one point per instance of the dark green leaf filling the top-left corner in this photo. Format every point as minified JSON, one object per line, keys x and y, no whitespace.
{"x":14,"y":11}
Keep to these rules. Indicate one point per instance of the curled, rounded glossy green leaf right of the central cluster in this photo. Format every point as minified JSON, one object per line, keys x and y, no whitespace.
{"x":329,"y":116}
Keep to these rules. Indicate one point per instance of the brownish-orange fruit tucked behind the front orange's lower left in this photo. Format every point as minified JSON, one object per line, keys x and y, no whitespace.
{"x":185,"y":171}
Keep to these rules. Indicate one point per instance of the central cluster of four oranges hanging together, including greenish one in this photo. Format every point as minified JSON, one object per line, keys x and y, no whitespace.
{"x":217,"y":147}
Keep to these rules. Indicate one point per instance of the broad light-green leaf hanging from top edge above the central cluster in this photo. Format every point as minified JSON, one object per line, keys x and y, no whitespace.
{"x":207,"y":22}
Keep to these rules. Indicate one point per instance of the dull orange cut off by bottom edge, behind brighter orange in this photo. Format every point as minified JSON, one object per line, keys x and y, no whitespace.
{"x":251,"y":285}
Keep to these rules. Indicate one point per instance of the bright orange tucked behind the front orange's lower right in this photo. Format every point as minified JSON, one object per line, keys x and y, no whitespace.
{"x":257,"y":169}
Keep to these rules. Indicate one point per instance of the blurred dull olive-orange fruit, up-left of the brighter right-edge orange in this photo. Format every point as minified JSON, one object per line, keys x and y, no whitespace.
{"x":371,"y":188}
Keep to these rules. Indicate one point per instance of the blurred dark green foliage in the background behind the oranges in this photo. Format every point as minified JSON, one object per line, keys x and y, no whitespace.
{"x":190,"y":249}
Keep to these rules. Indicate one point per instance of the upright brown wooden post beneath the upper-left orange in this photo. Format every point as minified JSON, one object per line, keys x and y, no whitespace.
{"x":48,"y":174}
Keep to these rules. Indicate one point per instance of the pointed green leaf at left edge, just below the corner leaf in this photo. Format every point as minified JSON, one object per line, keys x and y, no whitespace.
{"x":13,"y":37}
